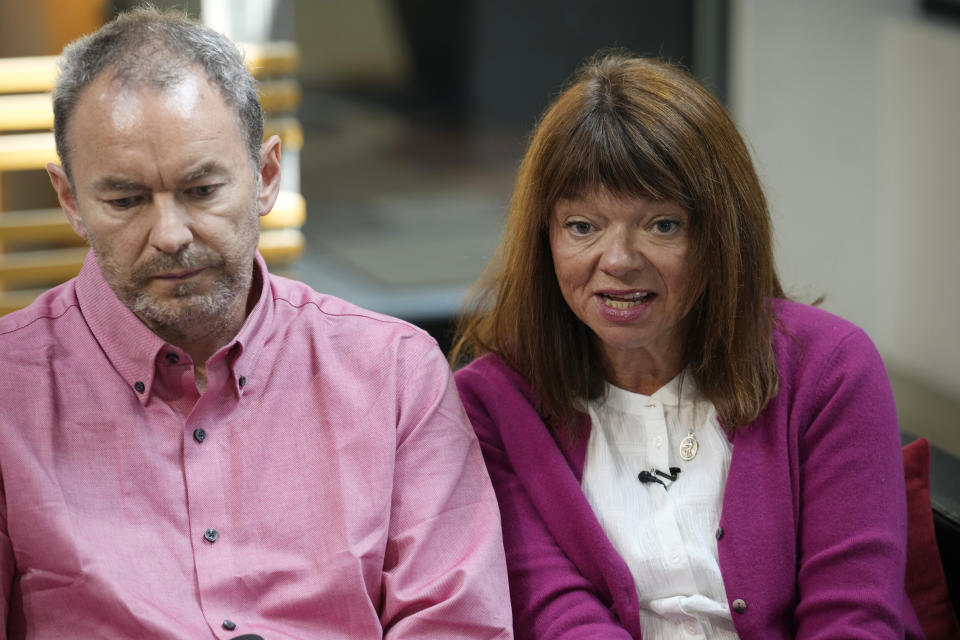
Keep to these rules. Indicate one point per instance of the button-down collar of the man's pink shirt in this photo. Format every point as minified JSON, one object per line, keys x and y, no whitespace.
{"x":133,"y":348}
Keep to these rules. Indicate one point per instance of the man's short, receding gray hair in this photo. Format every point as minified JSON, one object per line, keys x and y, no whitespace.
{"x":146,"y":47}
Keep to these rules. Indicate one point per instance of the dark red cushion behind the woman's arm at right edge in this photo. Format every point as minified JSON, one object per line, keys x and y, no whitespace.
{"x":925,"y":581}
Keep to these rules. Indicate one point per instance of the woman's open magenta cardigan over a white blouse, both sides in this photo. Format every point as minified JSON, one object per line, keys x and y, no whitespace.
{"x":812,"y":534}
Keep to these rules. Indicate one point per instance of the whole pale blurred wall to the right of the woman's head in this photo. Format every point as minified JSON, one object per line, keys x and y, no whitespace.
{"x":852,"y":108}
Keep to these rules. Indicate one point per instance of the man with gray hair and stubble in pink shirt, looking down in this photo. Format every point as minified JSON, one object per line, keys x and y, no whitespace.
{"x":191,"y":447}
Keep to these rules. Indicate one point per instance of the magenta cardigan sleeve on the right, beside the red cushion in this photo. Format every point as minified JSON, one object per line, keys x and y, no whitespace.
{"x":852,"y":503}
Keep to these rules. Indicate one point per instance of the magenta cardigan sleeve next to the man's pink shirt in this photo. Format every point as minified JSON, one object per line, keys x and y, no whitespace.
{"x":550,"y":597}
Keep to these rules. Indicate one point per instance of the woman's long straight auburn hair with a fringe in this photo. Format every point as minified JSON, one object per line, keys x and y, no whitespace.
{"x":645,"y":128}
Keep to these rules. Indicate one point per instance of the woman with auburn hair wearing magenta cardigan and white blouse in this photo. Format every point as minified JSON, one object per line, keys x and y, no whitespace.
{"x":676,"y":447}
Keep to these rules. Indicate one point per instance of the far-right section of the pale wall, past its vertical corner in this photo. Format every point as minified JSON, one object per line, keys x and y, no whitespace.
{"x":921,"y":173}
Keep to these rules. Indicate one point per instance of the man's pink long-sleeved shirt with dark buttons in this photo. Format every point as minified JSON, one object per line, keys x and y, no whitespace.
{"x":326,"y":484}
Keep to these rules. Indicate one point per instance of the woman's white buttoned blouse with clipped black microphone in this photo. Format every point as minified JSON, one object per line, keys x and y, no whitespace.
{"x":666,"y":535}
